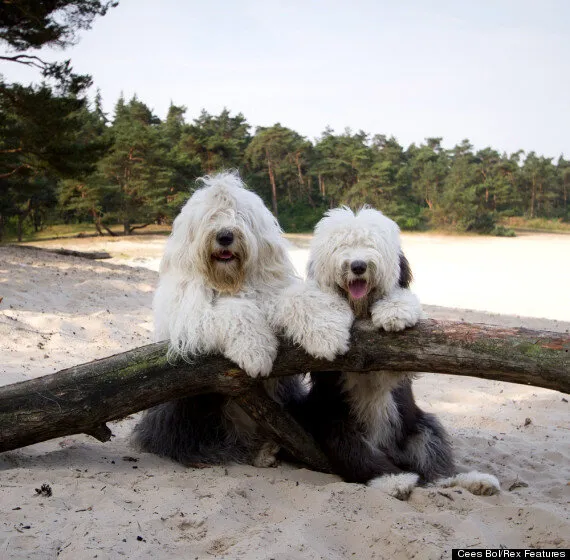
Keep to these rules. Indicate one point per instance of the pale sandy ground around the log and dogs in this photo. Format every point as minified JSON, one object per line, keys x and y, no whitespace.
{"x":110,"y":501}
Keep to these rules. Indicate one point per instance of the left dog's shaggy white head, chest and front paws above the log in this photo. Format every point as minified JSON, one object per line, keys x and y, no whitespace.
{"x":227,"y":284}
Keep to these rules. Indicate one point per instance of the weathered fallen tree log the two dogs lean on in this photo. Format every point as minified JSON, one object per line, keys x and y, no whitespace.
{"x":83,"y":398}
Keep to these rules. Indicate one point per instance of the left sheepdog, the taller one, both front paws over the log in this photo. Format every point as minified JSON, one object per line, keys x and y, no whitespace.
{"x":226,"y":285}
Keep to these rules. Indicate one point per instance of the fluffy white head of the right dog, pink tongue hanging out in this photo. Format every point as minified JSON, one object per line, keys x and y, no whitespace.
{"x":358,"y":255}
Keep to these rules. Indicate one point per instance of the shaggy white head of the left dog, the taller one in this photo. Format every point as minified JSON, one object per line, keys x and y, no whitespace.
{"x":226,"y":236}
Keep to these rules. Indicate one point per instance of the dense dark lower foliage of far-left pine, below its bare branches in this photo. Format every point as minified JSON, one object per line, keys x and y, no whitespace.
{"x":43,"y":140}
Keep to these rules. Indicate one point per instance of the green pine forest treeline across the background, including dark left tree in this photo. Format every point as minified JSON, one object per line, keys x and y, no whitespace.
{"x":63,"y":160}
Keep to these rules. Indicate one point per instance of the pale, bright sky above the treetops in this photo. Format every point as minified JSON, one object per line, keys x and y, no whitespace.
{"x":493,"y":71}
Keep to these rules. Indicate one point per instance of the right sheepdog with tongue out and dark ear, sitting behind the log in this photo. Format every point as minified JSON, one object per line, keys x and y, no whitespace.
{"x":369,"y":425}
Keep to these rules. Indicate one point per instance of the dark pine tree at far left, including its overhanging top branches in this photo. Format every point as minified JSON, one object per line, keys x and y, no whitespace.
{"x":42,"y":128}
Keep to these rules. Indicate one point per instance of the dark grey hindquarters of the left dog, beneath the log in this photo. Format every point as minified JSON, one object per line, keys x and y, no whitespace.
{"x":201,"y":430}
